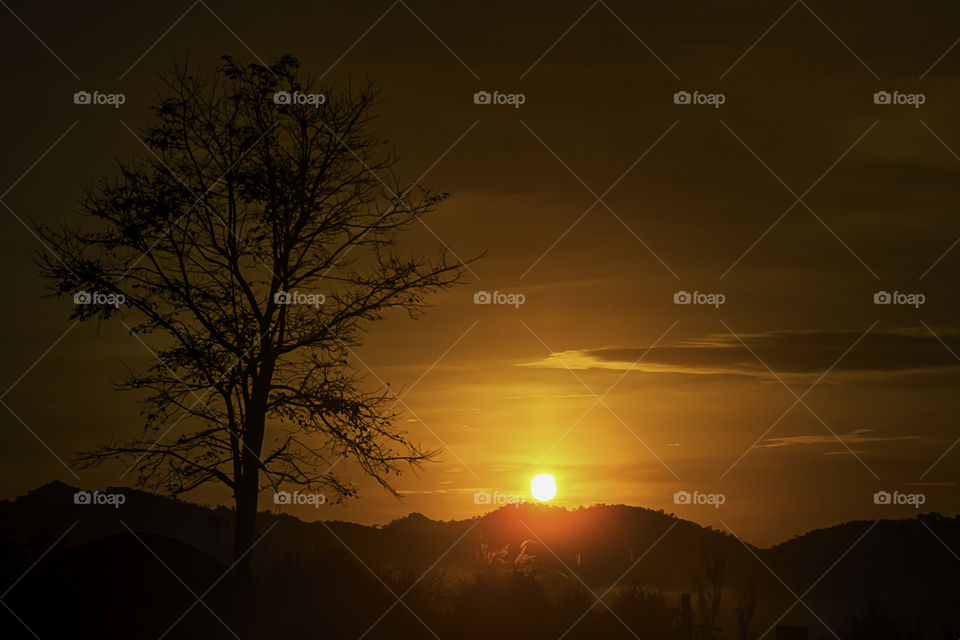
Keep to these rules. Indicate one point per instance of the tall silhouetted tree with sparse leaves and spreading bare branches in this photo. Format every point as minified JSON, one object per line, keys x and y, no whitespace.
{"x":255,"y":242}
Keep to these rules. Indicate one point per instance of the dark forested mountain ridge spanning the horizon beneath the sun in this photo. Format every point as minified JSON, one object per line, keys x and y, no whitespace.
{"x":154,"y":549}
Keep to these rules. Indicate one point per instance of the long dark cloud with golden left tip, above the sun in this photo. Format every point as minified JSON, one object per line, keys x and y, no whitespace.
{"x":799,"y":353}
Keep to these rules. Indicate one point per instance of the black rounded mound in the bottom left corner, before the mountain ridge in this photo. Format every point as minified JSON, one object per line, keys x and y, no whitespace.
{"x":121,"y":586}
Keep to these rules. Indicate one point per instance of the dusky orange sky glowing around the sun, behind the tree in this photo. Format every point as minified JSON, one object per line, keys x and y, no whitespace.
{"x":685,"y":193}
